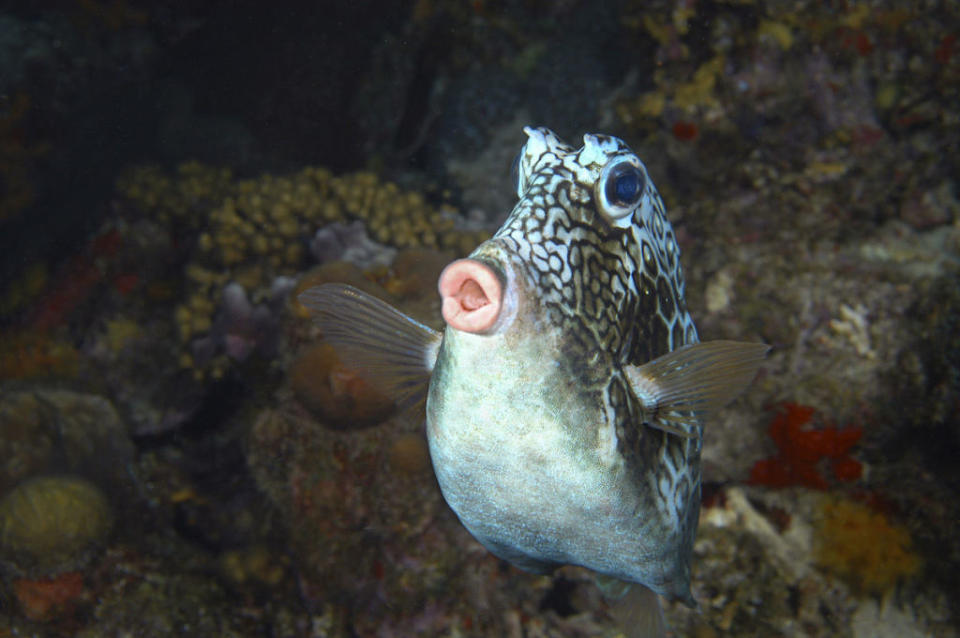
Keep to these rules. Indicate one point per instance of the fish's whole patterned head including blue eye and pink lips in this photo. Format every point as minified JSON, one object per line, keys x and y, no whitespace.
{"x":587,"y":250}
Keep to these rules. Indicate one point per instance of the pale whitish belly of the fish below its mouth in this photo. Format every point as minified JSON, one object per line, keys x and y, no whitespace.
{"x":531,"y":474}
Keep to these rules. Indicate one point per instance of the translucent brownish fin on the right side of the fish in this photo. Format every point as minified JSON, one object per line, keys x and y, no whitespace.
{"x":684,"y":388}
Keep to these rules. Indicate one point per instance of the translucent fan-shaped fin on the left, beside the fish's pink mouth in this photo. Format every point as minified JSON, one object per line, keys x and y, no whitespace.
{"x":395,"y":351}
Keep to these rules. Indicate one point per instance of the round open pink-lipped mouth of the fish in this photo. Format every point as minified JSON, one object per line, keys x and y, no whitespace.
{"x":472,"y":294}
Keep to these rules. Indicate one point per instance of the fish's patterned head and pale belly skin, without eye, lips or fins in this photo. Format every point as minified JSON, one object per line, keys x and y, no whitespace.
{"x":594,"y":294}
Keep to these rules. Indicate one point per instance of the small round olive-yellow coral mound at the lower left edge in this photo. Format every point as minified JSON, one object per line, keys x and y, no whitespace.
{"x":52,"y":524}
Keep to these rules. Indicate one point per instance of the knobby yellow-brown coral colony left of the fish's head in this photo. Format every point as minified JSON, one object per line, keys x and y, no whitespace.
{"x":251,"y":236}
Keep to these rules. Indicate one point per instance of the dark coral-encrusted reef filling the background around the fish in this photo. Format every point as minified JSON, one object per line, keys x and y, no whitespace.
{"x":184,"y":454}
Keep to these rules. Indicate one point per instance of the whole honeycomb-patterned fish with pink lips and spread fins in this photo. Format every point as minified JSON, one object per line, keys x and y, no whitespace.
{"x":567,"y":395}
